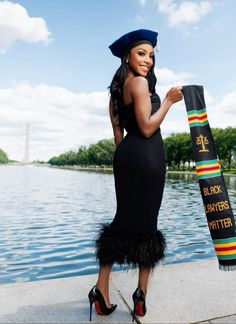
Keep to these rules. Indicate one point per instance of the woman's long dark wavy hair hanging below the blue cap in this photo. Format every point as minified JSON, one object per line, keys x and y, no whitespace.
{"x":117,"y":83}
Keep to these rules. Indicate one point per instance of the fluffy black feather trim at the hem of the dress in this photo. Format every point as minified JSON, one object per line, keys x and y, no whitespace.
{"x":125,"y":248}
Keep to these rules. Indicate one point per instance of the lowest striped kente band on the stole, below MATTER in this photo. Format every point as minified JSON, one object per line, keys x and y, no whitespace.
{"x":225,"y":248}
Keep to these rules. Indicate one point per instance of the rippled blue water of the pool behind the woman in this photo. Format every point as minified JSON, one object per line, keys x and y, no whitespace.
{"x":49,"y":219}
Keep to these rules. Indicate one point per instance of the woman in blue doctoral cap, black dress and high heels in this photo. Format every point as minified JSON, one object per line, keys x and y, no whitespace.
{"x":139,"y":169}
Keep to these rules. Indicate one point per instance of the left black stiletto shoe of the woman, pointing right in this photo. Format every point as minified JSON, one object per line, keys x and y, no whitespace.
{"x":96,"y":297}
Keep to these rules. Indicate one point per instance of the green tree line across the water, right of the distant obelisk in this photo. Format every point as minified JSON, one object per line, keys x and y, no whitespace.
{"x":178,"y":149}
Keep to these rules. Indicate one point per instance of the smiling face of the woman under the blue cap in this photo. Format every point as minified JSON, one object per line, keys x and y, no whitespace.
{"x":140,"y":59}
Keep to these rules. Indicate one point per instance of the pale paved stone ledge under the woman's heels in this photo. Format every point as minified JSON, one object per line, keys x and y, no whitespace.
{"x":194,"y":292}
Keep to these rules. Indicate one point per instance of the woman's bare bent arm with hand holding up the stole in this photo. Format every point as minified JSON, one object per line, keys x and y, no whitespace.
{"x":148,"y":123}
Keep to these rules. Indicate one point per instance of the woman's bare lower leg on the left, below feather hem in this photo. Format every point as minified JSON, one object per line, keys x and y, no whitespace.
{"x":103,"y":282}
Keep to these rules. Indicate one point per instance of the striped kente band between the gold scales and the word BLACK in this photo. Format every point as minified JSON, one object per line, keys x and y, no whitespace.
{"x":208,"y":169}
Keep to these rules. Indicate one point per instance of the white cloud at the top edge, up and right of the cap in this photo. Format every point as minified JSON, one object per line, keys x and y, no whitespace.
{"x":186,"y":12}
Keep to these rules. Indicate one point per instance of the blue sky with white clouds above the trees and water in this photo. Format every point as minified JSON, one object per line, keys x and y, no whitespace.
{"x":55,"y":66}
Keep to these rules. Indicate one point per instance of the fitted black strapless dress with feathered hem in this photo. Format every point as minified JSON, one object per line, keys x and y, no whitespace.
{"x":139,"y":170}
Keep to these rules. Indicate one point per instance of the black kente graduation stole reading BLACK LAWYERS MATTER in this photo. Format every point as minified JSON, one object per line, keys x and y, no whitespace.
{"x":215,"y":198}
